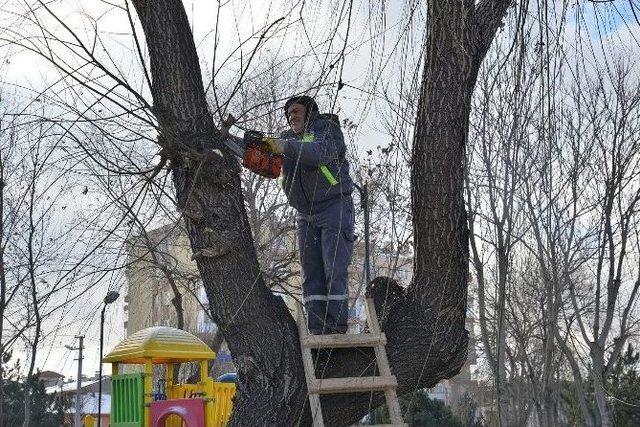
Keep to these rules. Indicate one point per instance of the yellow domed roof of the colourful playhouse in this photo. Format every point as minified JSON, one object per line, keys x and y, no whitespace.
{"x":162,"y":344}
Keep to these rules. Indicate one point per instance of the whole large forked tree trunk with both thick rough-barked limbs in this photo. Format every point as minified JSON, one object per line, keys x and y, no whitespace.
{"x":427,"y":340}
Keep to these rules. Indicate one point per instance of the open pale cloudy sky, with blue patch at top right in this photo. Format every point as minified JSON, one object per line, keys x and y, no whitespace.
{"x":311,"y":35}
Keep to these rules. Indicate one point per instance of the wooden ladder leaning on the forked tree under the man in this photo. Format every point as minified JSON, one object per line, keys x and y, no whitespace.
{"x":316,"y":386}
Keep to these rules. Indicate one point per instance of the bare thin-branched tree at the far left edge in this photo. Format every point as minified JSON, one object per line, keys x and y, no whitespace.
{"x":38,"y":266}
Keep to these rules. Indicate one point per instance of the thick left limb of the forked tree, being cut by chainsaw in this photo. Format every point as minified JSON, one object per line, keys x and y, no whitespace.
{"x":261,"y":333}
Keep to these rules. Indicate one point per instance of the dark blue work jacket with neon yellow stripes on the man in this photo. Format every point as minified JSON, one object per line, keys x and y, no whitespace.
{"x":321,"y":143}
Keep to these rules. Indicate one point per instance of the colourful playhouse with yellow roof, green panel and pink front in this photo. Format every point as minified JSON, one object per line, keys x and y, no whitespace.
{"x":134,"y":403}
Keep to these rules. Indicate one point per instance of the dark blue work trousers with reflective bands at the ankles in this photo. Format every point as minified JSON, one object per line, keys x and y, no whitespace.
{"x":326,"y":241}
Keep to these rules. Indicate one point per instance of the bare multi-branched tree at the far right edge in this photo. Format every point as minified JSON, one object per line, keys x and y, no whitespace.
{"x":604,"y":237}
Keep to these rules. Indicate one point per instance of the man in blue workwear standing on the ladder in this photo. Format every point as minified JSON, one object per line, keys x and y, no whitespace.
{"x":317,"y":184}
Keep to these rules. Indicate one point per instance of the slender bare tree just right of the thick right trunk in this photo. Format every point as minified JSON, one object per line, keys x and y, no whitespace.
{"x":496,"y":161}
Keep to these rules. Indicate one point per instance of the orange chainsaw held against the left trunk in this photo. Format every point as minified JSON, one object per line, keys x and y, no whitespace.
{"x":253,"y":149}
